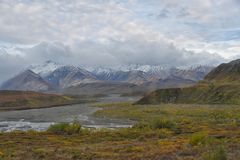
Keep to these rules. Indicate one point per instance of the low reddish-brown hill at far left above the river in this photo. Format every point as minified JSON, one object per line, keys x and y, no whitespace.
{"x":17,"y":100}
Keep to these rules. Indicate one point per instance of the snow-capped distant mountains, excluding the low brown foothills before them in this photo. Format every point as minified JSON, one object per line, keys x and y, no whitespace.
{"x":54,"y":75}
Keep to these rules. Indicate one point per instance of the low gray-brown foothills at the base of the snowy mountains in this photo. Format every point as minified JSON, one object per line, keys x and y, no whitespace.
{"x":125,"y":88}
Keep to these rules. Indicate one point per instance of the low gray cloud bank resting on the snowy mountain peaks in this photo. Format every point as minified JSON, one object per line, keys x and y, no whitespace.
{"x":91,"y":53}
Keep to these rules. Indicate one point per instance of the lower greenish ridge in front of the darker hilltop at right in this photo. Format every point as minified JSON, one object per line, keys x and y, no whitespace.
{"x":200,"y":94}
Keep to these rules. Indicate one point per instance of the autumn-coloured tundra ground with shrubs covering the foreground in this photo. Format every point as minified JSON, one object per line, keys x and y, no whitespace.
{"x":167,"y":132}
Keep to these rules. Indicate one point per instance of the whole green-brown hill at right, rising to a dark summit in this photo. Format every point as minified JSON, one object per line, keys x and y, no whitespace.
{"x":221,"y":86}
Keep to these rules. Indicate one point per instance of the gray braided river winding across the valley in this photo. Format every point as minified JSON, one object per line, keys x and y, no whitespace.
{"x":41,"y":119}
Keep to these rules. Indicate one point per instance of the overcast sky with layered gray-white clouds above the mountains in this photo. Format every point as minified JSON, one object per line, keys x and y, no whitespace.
{"x":110,"y":32}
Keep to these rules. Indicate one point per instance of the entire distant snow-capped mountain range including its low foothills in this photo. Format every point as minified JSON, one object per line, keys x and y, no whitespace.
{"x":51,"y":76}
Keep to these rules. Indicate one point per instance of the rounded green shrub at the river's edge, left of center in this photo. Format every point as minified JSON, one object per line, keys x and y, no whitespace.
{"x":66,"y":128}
